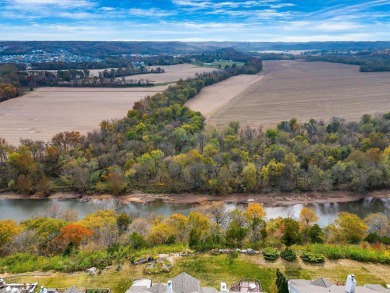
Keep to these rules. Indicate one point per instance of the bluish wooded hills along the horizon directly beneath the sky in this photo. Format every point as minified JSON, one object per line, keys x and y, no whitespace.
{"x":101,"y":49}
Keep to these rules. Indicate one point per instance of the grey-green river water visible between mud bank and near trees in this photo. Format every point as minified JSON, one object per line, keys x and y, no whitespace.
{"x":19,"y":210}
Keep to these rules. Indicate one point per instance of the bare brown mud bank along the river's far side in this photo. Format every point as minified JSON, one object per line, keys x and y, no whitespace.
{"x":267,"y":200}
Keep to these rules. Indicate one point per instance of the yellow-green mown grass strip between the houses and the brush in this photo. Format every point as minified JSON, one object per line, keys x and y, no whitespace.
{"x":212,"y":270}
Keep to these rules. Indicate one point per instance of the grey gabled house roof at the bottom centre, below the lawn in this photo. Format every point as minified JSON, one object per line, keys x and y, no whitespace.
{"x":183,"y":283}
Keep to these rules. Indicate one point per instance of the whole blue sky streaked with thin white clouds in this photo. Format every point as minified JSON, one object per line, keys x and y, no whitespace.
{"x":196,"y":20}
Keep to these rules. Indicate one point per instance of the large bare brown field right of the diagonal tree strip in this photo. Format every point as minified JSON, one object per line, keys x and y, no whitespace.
{"x":297,"y":89}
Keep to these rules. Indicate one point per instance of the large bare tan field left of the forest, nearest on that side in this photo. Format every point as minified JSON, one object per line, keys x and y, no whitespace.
{"x":41,"y":114}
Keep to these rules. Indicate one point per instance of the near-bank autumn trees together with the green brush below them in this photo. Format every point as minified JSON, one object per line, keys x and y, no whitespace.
{"x":59,"y":238}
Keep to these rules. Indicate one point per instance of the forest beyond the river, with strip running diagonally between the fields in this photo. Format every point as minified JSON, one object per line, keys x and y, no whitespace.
{"x":162,"y":146}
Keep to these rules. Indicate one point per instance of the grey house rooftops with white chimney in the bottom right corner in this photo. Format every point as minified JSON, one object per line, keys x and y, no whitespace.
{"x":323,"y":285}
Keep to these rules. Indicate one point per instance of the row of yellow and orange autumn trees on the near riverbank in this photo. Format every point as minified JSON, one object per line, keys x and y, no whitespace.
{"x":206,"y":227}
